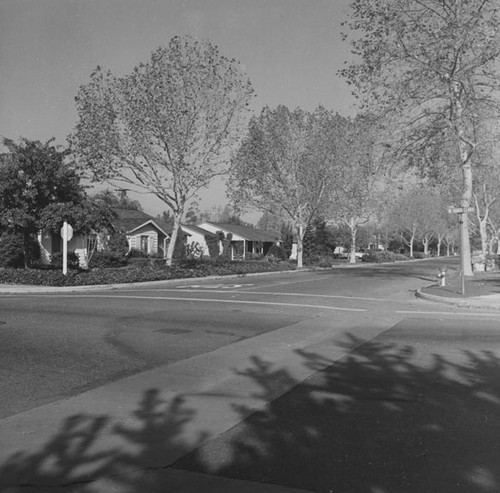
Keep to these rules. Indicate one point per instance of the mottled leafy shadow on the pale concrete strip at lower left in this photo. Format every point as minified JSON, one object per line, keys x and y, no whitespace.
{"x":69,"y":462}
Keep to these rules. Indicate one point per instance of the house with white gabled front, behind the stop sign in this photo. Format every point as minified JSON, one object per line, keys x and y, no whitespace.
{"x":143,"y":232}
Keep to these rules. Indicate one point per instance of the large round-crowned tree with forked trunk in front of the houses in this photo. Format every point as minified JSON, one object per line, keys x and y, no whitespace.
{"x":168,"y":128}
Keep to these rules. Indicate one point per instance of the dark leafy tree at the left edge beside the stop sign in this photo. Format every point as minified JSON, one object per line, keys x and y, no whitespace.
{"x":40,"y":189}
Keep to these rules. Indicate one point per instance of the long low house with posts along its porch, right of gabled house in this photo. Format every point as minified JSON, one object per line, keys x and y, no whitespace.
{"x":246,"y":241}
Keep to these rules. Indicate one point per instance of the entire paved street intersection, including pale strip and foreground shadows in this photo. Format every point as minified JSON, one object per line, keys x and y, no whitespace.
{"x":313,"y":381}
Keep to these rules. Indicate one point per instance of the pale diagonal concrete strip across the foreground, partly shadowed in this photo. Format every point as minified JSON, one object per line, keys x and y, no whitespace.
{"x":145,"y":423}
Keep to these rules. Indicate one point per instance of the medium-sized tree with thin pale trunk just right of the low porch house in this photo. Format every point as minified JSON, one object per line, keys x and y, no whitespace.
{"x":286,"y":164}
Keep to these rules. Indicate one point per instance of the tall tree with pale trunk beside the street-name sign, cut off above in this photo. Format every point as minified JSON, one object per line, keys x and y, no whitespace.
{"x":431,"y":66}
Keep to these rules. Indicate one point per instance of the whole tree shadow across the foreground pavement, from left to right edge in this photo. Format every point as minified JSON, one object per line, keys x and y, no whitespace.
{"x":388,"y":417}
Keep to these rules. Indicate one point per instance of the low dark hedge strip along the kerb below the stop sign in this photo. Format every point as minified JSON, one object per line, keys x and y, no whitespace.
{"x":130,"y":274}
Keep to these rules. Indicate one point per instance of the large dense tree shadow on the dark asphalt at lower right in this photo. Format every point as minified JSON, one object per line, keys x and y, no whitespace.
{"x":385,"y":419}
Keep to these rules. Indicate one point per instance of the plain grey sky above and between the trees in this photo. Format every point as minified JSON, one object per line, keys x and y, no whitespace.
{"x":290,"y":49}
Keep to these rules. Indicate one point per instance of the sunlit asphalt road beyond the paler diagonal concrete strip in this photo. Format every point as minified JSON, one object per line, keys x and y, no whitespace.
{"x":55,"y":345}
